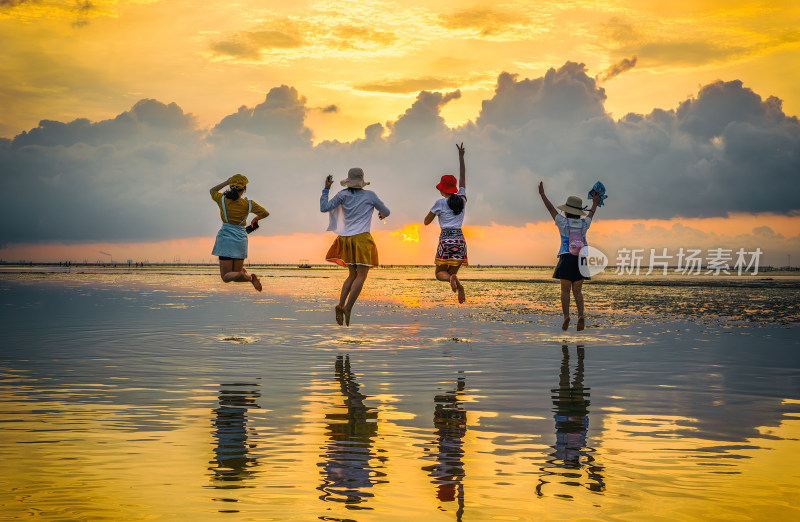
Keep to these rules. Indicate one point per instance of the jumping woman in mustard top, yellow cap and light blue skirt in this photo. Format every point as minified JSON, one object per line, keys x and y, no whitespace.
{"x":231,"y":242}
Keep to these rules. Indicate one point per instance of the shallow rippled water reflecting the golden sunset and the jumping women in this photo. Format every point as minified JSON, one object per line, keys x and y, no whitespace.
{"x":145,"y":395}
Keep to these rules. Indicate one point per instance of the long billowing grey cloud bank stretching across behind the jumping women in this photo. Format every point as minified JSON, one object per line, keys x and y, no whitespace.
{"x":145,"y":174}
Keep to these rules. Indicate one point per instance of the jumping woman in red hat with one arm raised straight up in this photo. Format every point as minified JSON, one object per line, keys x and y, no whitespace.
{"x":452,"y":251}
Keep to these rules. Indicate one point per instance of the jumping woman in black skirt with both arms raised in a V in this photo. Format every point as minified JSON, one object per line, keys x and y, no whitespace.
{"x":572,"y":227}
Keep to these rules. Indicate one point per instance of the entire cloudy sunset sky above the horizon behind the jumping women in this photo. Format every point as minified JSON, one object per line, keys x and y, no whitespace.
{"x":117,"y":117}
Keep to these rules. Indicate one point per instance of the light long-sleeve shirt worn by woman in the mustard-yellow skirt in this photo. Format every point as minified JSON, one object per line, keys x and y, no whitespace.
{"x":351,"y":210}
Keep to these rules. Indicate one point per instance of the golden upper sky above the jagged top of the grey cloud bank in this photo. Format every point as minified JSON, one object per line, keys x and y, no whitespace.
{"x":361,"y":62}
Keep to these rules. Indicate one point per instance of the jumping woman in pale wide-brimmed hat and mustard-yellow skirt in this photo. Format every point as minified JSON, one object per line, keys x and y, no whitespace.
{"x":350,"y":217}
